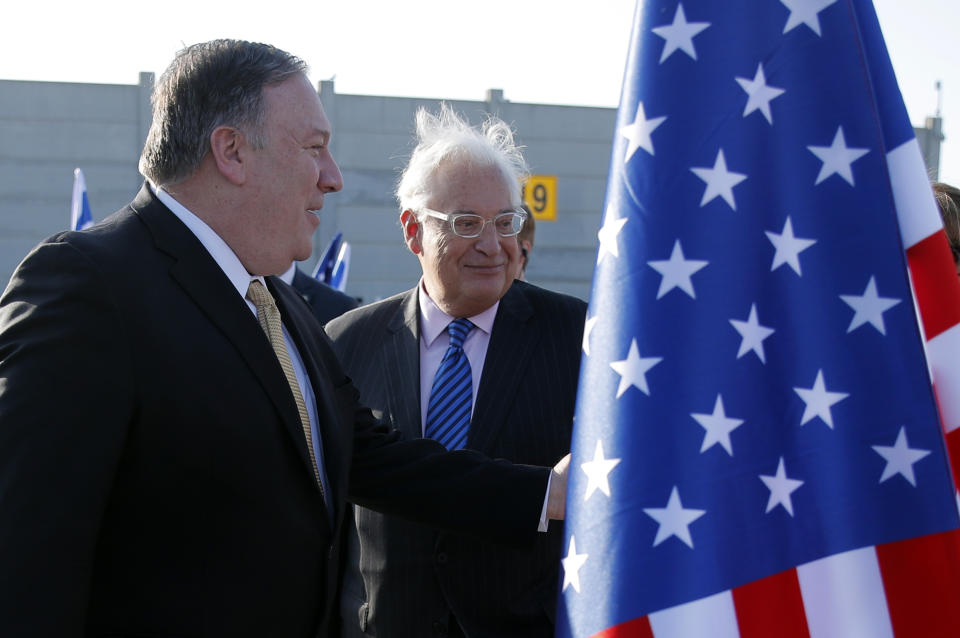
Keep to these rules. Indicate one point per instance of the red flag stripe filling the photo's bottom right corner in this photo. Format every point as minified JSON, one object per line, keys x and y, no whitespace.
{"x":922,"y":585}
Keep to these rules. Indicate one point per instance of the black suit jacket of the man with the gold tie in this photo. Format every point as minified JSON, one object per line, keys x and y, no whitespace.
{"x":153,"y":474}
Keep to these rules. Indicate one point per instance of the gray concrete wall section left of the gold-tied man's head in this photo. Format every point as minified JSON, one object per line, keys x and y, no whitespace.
{"x":46,"y":130}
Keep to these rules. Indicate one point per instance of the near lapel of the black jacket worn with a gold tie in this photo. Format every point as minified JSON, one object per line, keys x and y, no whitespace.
{"x":206,"y":284}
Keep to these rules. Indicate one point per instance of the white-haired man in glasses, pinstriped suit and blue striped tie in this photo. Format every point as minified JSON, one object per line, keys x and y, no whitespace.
{"x":460,"y":213}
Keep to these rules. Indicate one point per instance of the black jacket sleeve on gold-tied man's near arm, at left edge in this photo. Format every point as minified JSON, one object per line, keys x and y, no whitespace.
{"x":65,"y":404}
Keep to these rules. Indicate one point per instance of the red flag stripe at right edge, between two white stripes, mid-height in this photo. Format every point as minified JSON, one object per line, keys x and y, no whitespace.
{"x":935,"y":283}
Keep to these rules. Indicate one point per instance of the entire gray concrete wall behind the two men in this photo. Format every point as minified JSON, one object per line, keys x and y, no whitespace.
{"x":47,"y":129}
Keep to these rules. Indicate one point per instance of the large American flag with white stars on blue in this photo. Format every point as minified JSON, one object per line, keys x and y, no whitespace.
{"x":757,"y":449}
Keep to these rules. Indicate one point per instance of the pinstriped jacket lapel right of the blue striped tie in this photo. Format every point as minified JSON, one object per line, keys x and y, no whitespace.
{"x":513,"y":340}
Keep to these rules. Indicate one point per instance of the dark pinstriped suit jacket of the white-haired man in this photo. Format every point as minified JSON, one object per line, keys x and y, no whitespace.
{"x":404,"y":580}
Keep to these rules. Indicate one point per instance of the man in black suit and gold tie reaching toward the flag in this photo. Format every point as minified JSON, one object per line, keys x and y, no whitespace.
{"x":176,"y":448}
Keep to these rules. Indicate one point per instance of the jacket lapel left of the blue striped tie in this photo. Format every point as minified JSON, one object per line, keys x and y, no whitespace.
{"x":402,"y":354}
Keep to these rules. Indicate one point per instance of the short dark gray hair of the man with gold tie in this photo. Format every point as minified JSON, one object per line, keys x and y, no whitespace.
{"x":211,"y":84}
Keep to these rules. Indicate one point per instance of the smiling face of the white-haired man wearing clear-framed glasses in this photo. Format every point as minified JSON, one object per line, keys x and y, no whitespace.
{"x":465,"y":276}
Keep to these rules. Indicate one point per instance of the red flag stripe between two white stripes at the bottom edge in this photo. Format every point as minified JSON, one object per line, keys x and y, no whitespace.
{"x":771,"y":606}
